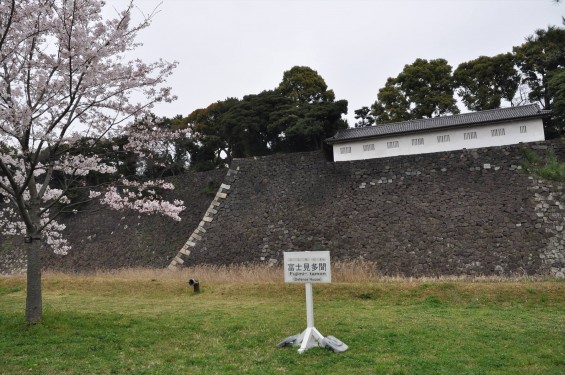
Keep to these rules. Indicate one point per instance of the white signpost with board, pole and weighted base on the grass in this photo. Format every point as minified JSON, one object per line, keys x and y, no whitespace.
{"x":309,"y":267}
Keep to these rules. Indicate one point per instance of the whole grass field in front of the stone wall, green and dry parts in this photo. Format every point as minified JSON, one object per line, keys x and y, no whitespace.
{"x":150,"y":322}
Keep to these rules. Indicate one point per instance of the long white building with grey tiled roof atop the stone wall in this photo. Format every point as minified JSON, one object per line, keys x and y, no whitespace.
{"x":496,"y":127}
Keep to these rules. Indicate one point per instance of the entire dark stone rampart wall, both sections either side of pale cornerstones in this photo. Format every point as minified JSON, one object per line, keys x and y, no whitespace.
{"x":472,"y":212}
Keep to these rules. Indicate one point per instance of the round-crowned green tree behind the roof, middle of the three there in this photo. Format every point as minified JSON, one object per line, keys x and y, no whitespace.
{"x":485,"y":81}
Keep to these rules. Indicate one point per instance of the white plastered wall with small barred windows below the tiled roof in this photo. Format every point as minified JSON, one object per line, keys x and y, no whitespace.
{"x":513,"y":133}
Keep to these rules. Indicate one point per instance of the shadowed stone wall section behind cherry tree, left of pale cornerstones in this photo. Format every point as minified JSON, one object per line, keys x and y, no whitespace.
{"x":108,"y":239}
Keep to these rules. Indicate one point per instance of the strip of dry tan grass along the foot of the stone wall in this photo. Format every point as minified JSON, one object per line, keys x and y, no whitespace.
{"x":350,"y":280}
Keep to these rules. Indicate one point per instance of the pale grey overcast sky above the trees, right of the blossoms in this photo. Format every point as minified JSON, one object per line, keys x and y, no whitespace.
{"x":231,"y":48}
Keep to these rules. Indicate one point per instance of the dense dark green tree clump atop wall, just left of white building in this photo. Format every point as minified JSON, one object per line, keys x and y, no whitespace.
{"x":295,"y":116}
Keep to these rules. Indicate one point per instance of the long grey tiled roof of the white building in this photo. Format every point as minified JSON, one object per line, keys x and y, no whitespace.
{"x":466,"y":119}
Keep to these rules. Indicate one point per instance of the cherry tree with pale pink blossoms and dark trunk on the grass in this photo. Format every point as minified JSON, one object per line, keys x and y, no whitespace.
{"x":65,"y":75}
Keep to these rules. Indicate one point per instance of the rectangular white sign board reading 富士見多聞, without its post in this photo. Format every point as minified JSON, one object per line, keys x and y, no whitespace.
{"x":307,"y":267}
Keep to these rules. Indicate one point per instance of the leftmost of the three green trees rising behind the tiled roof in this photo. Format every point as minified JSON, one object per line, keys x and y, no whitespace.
{"x":423,"y":89}
